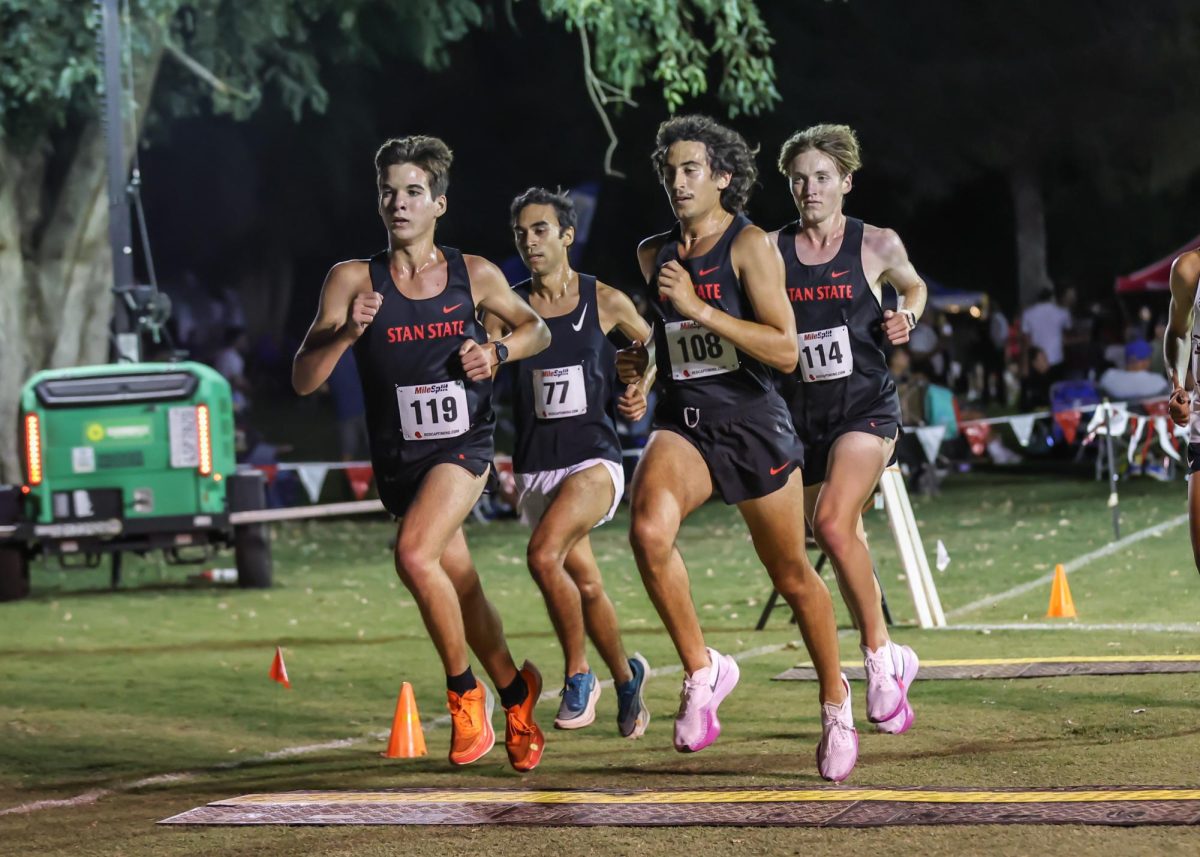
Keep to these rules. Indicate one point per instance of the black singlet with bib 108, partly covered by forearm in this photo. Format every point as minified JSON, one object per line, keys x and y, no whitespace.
{"x":698,"y":368}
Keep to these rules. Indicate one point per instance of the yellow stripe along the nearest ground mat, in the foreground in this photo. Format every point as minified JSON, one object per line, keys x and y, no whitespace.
{"x":715,"y":796}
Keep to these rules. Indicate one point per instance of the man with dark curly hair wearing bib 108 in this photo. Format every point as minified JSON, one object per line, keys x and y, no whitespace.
{"x":717,"y":285}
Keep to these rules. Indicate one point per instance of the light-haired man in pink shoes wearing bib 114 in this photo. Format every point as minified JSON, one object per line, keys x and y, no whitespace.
{"x":842,"y":397}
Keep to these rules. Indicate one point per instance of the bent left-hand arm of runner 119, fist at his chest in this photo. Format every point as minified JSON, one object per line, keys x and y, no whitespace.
{"x":347,"y":307}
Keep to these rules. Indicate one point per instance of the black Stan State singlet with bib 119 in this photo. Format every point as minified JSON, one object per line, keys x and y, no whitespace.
{"x":418,"y":399}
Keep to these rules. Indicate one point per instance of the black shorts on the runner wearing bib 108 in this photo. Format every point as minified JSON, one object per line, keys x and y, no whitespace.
{"x":751,"y":452}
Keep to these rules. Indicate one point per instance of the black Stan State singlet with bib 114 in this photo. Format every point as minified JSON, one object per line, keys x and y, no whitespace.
{"x":843,"y":373}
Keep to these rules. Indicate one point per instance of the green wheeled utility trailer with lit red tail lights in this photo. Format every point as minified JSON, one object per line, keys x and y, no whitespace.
{"x":129,"y":458}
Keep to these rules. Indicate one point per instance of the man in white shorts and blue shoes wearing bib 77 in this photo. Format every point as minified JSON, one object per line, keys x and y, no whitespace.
{"x":568,"y":459}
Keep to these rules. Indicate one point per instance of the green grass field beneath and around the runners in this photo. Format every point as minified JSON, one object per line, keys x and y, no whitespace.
{"x":158,"y":697}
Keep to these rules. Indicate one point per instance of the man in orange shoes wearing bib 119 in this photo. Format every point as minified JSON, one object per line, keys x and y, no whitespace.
{"x":427,"y":370}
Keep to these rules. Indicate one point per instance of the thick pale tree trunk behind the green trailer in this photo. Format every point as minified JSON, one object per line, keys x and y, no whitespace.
{"x":56,"y":266}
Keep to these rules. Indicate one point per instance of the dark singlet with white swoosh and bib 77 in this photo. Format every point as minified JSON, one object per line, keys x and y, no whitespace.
{"x":563,"y":397}
